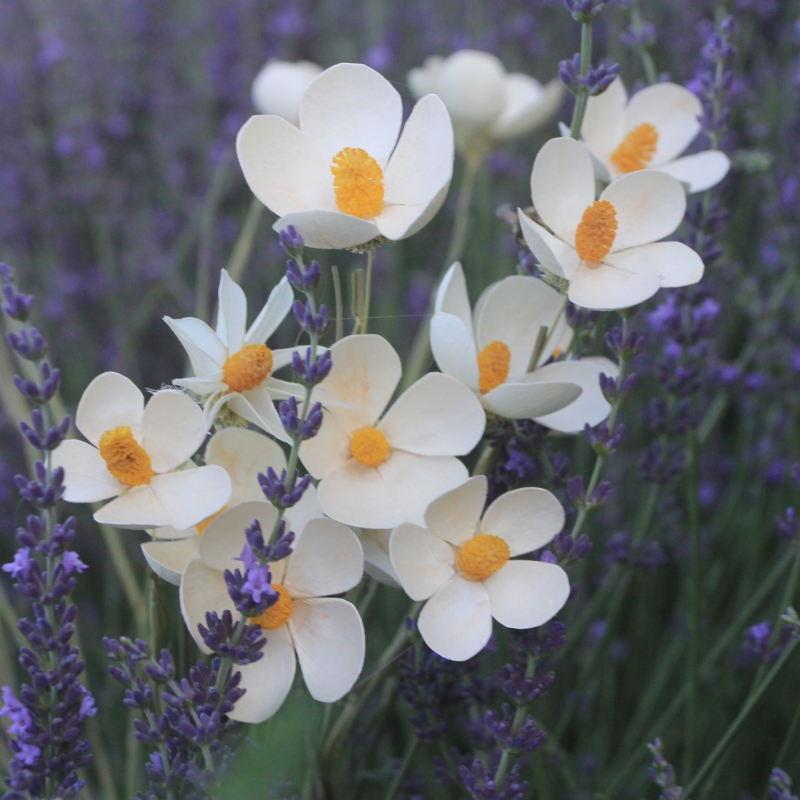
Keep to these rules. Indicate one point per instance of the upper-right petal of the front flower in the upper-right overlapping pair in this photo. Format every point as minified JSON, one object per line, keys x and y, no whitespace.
{"x":649,"y":205}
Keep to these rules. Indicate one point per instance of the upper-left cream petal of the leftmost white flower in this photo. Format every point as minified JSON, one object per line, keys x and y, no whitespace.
{"x":109,"y":401}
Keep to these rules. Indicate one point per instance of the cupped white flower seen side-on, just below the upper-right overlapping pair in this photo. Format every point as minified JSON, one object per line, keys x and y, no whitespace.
{"x":491,"y":352}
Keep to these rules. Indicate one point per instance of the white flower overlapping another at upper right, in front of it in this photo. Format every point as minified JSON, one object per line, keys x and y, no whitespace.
{"x":608,"y":250}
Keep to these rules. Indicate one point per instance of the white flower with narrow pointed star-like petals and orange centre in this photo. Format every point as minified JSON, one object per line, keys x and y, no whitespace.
{"x":233,"y":368}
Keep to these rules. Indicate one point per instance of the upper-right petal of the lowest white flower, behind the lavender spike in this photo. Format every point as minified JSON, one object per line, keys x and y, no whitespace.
{"x":327,"y":560}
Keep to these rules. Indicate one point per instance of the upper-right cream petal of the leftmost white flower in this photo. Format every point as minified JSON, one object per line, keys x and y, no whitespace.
{"x":173,"y":429}
